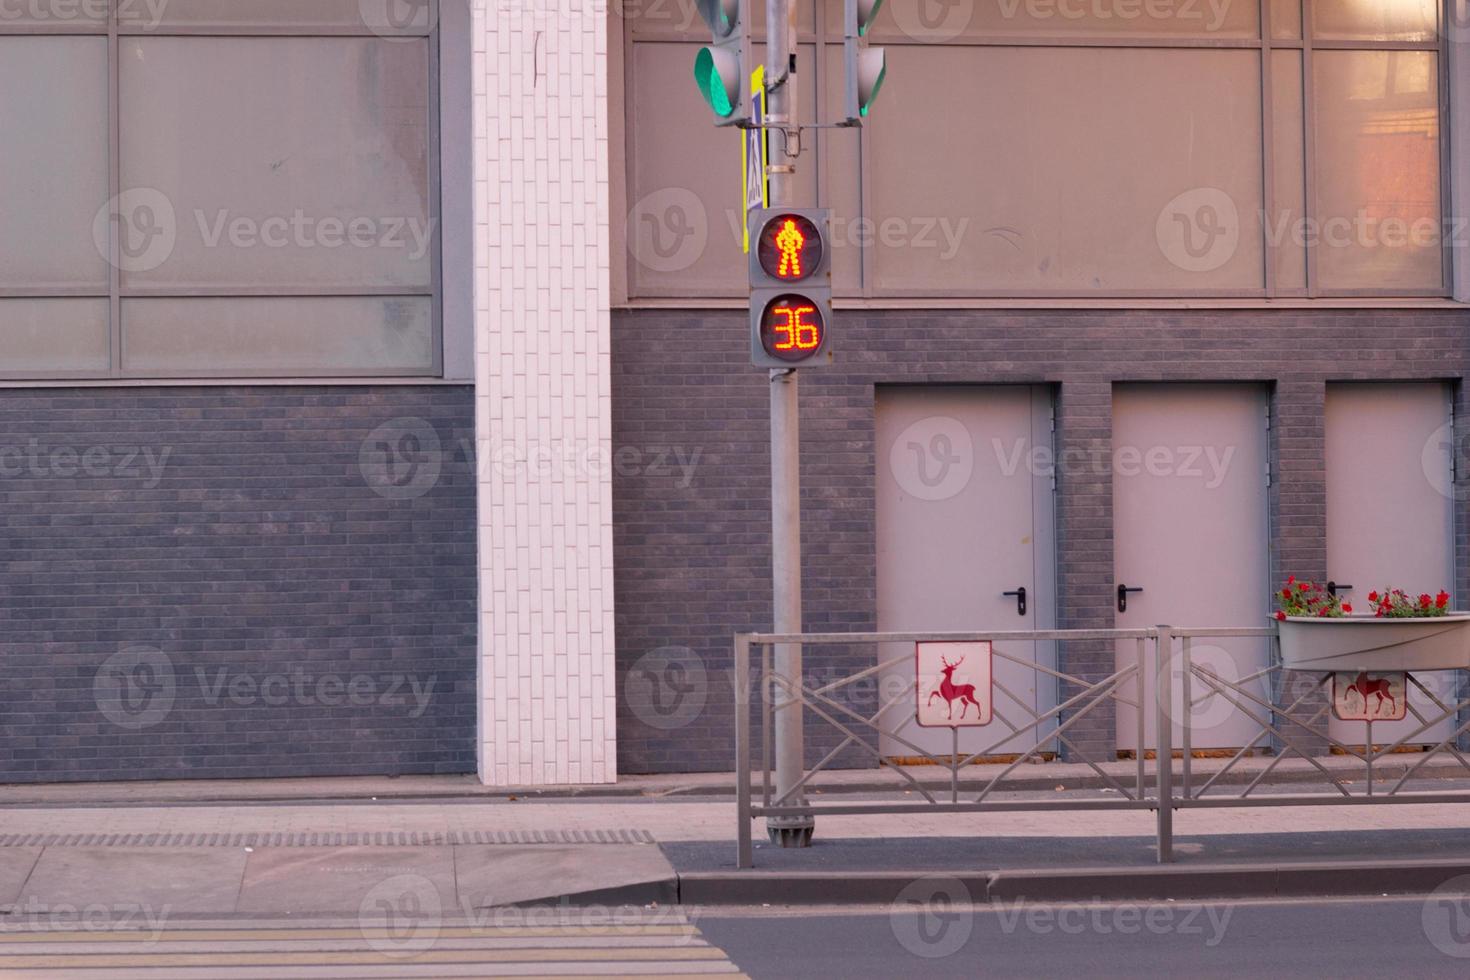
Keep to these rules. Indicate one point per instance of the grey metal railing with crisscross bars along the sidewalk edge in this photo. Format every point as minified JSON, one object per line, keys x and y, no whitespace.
{"x":1028,"y":732}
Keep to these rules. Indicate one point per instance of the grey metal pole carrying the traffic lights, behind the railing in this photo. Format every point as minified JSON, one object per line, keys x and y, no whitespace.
{"x":786,"y":452}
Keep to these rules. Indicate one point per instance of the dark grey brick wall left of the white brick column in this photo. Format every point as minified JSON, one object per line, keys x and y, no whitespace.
{"x":239,"y":581}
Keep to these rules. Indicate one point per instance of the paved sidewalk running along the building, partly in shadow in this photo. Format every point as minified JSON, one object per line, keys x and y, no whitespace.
{"x":337,"y":857}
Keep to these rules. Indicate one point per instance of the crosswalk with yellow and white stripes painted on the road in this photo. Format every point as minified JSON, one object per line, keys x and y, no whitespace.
{"x":656,"y":943}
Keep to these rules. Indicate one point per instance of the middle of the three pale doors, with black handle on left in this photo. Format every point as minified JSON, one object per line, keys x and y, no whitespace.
{"x":1190,"y":530}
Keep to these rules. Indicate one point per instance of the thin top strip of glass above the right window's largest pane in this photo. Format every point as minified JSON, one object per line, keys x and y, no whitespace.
{"x":933,"y":23}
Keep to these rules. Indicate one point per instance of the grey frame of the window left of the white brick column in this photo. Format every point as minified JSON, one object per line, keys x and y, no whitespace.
{"x":115,"y":32}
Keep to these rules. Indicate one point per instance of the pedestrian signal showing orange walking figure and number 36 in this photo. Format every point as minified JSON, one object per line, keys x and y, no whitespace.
{"x":790,"y":287}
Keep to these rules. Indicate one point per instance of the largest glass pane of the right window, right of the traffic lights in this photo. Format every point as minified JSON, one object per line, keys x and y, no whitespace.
{"x":1146,"y":179}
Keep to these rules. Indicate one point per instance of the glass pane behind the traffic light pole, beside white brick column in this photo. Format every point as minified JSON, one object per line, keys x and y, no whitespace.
{"x":683,"y":231}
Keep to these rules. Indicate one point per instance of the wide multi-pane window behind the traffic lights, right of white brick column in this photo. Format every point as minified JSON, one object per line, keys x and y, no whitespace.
{"x":1109,"y":149}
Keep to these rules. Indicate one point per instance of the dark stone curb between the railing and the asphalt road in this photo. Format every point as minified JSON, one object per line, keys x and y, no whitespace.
{"x":1172,"y":882}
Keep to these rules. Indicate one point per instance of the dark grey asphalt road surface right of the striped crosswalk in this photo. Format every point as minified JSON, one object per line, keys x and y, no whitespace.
{"x":1341,"y":940}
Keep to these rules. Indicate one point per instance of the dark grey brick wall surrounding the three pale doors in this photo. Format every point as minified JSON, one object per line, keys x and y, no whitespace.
{"x":693,"y":561}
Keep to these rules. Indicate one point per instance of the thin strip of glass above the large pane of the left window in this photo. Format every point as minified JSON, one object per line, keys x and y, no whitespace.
{"x":387,"y":18}
